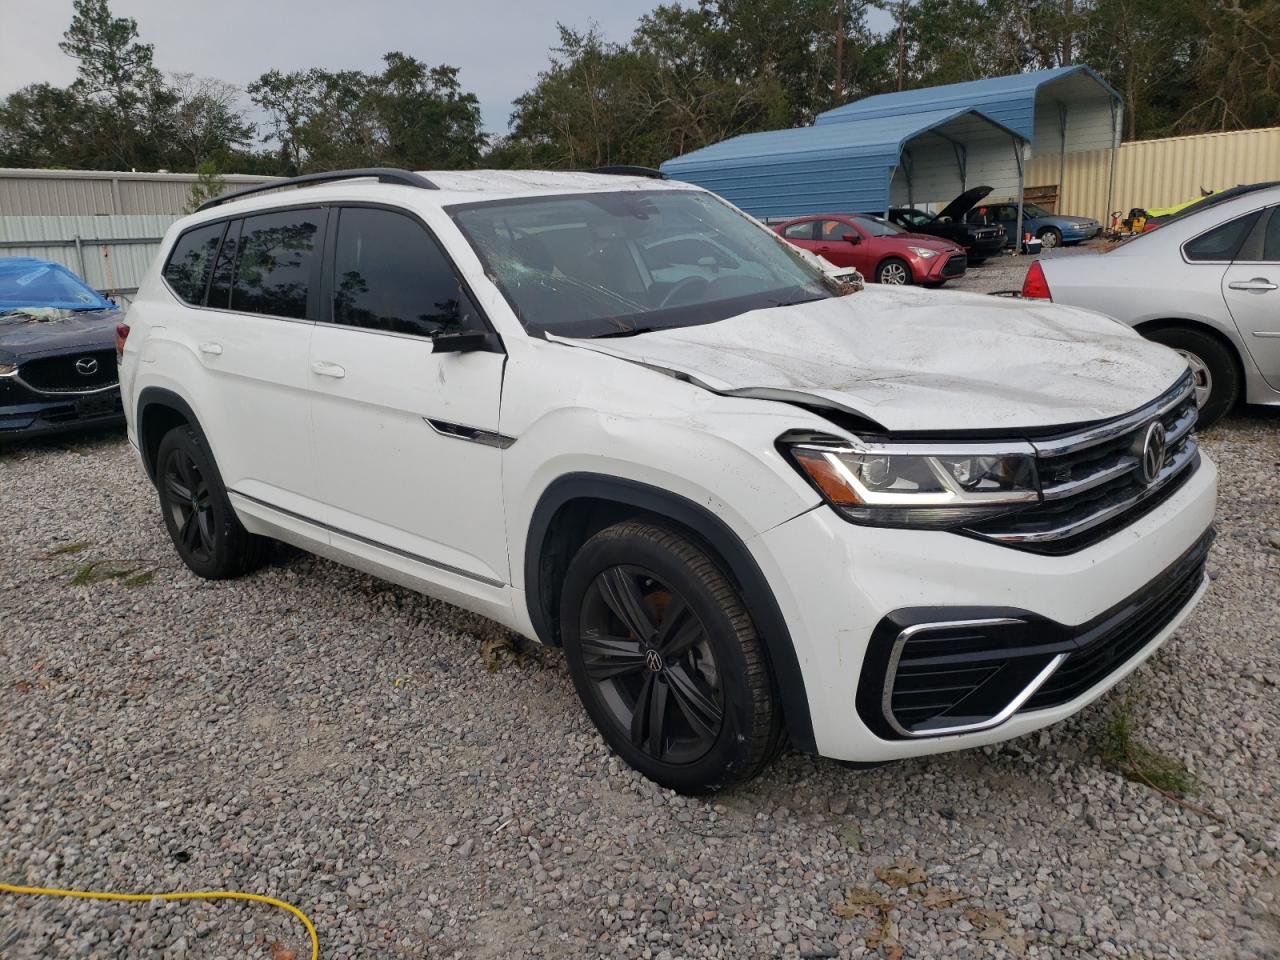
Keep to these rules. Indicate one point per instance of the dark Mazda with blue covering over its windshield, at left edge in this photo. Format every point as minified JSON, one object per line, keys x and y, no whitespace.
{"x":57,"y":351}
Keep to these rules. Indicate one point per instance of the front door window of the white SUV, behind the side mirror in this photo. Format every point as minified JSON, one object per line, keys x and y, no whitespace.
{"x":390,"y":275}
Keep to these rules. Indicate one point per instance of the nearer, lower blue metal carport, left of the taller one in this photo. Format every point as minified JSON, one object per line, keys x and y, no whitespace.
{"x":858,"y":166}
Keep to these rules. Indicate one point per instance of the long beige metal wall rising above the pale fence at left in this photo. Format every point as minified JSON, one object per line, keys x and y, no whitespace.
{"x":75,"y":193}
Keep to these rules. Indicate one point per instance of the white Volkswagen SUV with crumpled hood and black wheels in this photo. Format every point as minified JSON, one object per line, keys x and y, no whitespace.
{"x":619,"y":417}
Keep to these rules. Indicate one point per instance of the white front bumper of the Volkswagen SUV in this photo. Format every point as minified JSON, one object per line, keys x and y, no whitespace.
{"x":838,"y":583}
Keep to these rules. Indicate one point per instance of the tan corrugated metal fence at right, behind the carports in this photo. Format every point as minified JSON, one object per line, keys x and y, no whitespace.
{"x":1154,"y":173}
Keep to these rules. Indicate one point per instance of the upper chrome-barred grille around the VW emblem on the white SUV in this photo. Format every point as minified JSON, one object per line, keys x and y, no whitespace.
{"x":1092,"y":483}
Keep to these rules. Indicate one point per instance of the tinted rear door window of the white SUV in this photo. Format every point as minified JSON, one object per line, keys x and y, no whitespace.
{"x":276,"y":263}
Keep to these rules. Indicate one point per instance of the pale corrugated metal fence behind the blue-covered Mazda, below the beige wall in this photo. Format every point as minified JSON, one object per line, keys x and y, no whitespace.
{"x":115,"y":253}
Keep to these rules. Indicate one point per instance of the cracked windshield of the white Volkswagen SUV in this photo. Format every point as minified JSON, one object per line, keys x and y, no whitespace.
{"x":632,"y":262}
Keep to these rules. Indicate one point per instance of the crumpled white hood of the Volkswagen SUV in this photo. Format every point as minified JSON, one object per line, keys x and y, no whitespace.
{"x":918,"y":360}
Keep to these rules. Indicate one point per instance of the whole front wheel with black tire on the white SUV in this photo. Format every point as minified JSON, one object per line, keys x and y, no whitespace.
{"x":668,"y":661}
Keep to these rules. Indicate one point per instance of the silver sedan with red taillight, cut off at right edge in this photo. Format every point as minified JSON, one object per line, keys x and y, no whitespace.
{"x":1206,"y":284}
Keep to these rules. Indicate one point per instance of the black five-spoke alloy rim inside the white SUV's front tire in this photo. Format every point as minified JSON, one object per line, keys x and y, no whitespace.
{"x":652,"y":666}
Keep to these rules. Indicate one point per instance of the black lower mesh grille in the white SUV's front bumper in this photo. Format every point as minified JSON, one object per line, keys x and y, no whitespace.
{"x":1113,"y":639}
